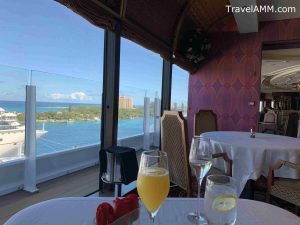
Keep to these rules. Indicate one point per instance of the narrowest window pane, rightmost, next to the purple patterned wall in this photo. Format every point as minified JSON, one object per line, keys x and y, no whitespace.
{"x":179,"y":92}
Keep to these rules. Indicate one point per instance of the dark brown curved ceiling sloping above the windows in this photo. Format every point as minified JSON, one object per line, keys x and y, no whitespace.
{"x":157,"y":25}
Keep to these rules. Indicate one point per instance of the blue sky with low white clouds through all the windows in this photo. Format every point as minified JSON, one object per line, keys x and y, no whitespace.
{"x":43,"y":35}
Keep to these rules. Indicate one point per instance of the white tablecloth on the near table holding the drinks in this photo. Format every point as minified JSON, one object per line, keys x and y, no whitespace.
{"x":81,"y":211}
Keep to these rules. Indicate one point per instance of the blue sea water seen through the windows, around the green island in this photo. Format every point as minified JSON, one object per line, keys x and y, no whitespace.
{"x":63,"y":136}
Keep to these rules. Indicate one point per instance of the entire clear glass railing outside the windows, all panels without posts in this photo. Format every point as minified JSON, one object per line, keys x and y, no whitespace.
{"x":68,"y":111}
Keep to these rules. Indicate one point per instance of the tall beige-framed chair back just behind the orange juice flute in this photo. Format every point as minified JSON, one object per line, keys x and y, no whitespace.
{"x":175,"y":143}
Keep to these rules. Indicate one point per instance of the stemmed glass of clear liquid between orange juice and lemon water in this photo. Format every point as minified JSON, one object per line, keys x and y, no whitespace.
{"x":200,"y":159}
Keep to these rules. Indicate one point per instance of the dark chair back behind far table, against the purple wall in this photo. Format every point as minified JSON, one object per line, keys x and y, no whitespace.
{"x":205,"y":121}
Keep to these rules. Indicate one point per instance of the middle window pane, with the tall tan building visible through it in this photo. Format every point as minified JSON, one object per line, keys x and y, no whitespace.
{"x":140,"y":77}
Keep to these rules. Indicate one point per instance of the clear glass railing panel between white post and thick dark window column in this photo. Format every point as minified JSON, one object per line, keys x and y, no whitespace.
{"x":68,"y":112}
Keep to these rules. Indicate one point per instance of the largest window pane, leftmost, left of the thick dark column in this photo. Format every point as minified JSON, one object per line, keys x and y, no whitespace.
{"x":47,"y":36}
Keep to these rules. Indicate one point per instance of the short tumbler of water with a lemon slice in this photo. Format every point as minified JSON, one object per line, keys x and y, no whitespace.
{"x":220,"y":200}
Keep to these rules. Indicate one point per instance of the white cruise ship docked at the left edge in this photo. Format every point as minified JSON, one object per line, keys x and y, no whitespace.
{"x":12,"y":135}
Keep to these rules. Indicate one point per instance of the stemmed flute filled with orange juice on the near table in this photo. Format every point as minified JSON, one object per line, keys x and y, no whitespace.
{"x":153,"y":182}
